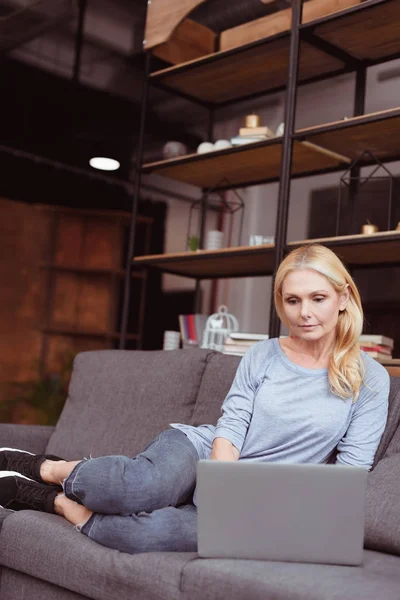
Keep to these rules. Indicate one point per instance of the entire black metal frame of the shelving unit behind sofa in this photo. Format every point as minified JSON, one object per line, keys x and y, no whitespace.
{"x":298,"y":32}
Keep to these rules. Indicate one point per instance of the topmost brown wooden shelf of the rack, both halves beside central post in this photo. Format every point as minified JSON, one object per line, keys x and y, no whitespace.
{"x":367,"y":32}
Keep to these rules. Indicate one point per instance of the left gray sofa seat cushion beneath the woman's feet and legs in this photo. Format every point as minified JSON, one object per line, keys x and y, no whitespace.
{"x":49,"y":548}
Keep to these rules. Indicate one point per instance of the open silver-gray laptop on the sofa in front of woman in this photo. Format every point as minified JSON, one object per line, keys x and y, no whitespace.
{"x":278,"y":511}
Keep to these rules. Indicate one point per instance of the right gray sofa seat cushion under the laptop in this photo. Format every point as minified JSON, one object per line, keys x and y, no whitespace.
{"x":219,"y":579}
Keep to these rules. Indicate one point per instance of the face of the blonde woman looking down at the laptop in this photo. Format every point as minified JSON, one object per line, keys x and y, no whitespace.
{"x":311,"y":304}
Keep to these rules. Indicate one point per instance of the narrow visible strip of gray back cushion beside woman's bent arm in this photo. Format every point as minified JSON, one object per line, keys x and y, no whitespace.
{"x":215,"y":384}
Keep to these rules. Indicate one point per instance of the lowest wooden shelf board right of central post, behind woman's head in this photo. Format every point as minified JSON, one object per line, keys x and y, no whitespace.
{"x":359,"y":249}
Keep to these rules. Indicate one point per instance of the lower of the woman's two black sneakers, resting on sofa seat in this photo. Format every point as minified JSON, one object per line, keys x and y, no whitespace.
{"x":20,"y":493}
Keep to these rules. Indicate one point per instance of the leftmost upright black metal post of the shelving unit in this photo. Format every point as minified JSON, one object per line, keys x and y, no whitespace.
{"x":135,"y":202}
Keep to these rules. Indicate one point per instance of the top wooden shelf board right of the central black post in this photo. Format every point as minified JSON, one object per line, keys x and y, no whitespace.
{"x":368,"y":31}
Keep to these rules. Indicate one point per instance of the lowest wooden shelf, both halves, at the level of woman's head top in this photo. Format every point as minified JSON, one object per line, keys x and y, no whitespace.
{"x":253,"y":261}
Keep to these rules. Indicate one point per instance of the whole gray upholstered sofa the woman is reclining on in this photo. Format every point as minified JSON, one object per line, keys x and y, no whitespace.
{"x":118,"y":401}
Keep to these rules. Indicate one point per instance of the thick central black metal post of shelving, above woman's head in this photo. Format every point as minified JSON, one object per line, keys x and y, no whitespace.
{"x":287,"y":153}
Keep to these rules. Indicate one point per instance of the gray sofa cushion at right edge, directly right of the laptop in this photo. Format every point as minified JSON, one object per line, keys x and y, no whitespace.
{"x":382,"y":524}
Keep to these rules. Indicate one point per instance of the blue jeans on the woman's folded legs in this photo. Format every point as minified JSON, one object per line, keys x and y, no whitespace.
{"x":141,"y":504}
